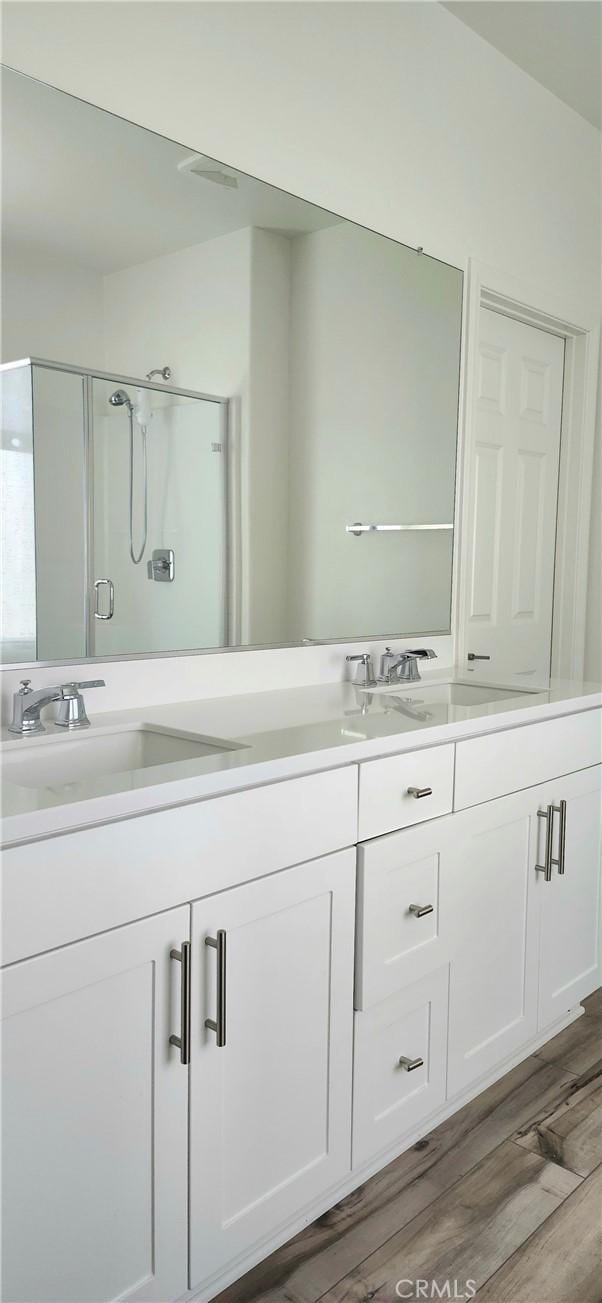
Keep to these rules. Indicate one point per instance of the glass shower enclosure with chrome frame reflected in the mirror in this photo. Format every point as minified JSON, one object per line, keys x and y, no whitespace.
{"x":115,"y":515}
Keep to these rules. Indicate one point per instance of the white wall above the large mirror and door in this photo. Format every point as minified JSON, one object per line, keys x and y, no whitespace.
{"x":395,"y":115}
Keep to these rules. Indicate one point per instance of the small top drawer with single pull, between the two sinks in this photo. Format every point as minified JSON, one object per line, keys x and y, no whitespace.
{"x":386,"y":797}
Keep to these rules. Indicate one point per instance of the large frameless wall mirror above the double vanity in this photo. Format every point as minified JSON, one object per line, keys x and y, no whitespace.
{"x":229,"y":418}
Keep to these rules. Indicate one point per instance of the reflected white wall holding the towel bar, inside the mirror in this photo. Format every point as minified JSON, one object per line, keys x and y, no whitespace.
{"x":373,"y":435}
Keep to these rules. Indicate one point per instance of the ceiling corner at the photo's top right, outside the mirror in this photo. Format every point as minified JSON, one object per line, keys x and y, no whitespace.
{"x":558,"y":42}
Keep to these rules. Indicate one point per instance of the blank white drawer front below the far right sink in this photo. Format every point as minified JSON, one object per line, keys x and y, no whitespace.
{"x":521,"y":758}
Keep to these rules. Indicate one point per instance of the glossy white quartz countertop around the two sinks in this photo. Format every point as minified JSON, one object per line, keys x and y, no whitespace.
{"x":281,"y":734}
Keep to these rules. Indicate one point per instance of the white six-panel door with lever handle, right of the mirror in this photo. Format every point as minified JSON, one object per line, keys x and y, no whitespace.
{"x":513,"y":466}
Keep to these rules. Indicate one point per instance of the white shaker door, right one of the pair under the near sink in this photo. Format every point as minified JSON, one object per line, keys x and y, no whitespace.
{"x":270,"y":1110}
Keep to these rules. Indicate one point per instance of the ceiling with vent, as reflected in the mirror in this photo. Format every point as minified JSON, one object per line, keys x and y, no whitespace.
{"x":104,"y":193}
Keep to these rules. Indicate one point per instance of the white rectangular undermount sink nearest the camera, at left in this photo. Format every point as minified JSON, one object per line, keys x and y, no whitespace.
{"x":76,"y":759}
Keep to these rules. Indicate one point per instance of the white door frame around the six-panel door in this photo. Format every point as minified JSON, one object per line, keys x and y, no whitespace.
{"x":488,"y":287}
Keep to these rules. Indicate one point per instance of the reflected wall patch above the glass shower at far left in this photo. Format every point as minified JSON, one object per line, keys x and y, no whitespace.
{"x":51,"y":309}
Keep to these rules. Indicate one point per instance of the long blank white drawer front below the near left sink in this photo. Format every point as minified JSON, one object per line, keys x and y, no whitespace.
{"x":67,"y":888}
